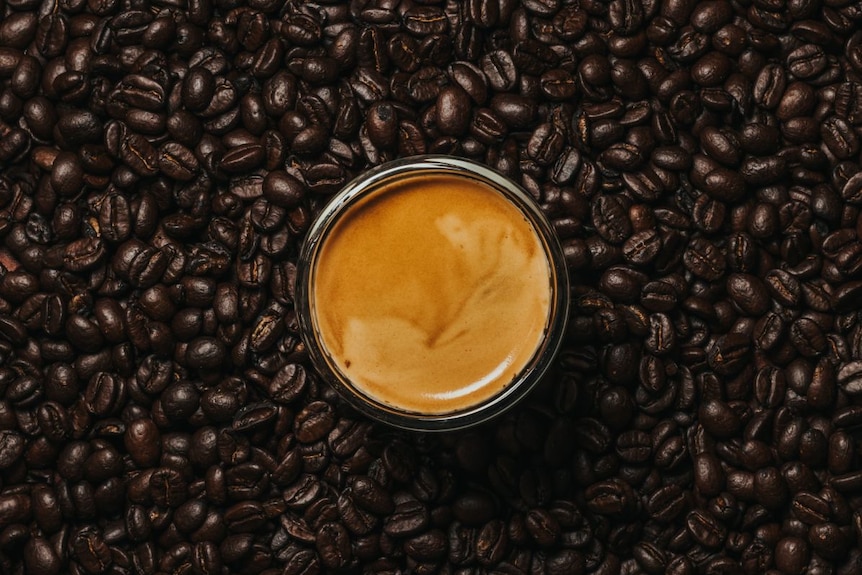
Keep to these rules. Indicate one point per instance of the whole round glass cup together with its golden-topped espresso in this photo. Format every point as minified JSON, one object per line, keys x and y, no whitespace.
{"x":432,"y":293}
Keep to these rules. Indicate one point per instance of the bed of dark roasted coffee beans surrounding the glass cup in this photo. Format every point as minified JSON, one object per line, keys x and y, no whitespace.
{"x":160,"y":161}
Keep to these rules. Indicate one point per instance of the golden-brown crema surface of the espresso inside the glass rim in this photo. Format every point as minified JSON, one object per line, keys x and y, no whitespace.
{"x":432,"y":293}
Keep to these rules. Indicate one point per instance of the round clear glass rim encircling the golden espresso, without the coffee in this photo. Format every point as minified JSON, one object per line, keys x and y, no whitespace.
{"x":328,"y":365}
